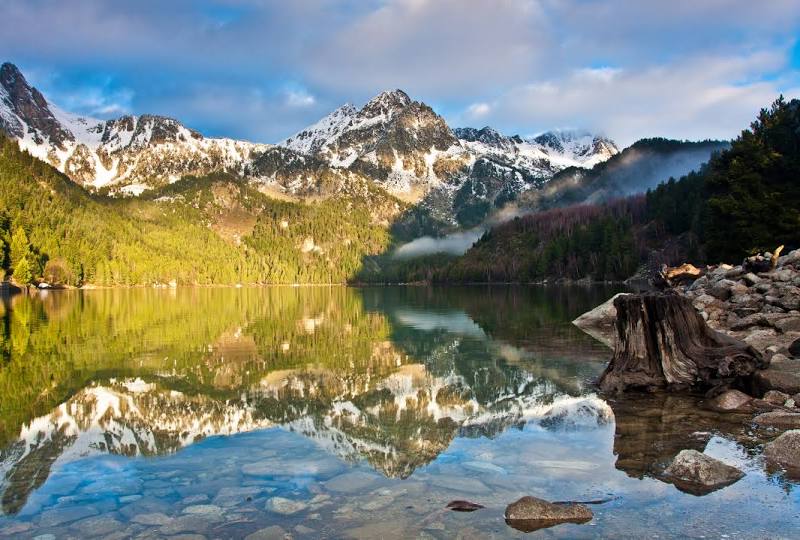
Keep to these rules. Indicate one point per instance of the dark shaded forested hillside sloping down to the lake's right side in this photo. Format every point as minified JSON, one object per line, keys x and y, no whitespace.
{"x":747,"y":199}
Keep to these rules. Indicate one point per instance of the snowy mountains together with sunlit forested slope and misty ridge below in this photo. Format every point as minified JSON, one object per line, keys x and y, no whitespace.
{"x":334,"y":202}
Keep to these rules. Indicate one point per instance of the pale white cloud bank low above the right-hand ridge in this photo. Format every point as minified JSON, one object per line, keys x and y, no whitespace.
{"x":697,"y":98}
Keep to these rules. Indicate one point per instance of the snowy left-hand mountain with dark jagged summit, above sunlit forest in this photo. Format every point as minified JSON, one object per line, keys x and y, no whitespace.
{"x":130,"y":152}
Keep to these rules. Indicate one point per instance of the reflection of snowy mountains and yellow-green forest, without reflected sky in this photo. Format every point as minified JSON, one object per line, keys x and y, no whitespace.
{"x":378,"y":375}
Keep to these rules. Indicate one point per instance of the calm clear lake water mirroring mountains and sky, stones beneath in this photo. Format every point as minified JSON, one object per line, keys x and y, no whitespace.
{"x":338,"y":412}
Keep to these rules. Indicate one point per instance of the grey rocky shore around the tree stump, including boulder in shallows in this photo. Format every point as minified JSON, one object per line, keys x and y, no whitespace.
{"x":758,"y":303}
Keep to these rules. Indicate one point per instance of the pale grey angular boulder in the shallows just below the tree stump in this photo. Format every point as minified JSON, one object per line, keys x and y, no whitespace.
{"x":696,"y":473}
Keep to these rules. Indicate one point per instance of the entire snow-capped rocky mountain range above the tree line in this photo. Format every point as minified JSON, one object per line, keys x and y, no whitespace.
{"x":392,"y":142}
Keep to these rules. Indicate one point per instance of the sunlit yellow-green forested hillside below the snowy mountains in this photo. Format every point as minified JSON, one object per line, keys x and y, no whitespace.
{"x":211,"y":230}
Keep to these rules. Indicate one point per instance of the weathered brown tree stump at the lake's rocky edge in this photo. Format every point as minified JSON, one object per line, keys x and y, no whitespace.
{"x":662,"y":342}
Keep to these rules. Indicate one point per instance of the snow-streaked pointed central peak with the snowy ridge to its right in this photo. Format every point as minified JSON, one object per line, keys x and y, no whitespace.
{"x":456,"y":175}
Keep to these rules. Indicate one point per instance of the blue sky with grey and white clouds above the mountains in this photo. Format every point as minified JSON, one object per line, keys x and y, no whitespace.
{"x":263,"y":69}
